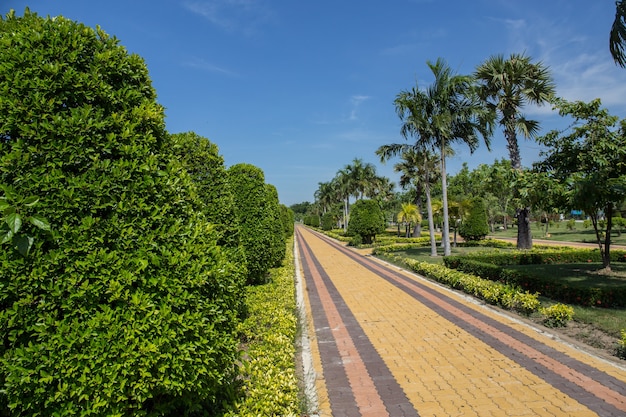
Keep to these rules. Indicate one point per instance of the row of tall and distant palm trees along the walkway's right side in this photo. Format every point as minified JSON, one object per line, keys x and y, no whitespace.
{"x":456,"y":109}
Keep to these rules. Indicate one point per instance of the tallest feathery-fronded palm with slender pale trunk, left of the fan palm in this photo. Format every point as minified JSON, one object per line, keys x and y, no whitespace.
{"x":447,"y":111}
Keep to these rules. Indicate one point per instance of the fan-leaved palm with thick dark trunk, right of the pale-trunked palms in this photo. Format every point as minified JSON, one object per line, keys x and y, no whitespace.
{"x":505,"y":86}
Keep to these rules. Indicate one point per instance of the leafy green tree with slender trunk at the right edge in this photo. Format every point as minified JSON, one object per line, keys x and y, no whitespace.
{"x":590,"y":158}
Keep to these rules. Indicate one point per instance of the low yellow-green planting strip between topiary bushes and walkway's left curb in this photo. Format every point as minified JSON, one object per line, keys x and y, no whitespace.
{"x":268,"y":369}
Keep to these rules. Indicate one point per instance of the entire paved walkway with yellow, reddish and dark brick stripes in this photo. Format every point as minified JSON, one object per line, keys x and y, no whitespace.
{"x":388,"y":343}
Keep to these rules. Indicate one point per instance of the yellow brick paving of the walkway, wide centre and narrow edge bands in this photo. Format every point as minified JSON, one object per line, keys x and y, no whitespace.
{"x":444,"y":370}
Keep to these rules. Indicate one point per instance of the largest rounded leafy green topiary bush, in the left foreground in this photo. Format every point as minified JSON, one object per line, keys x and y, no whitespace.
{"x":131,"y":307}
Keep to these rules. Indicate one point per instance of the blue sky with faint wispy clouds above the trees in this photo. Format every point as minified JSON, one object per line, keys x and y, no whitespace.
{"x":301,"y":88}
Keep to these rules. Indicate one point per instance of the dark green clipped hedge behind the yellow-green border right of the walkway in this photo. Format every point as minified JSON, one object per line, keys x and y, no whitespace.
{"x":549,"y":287}
